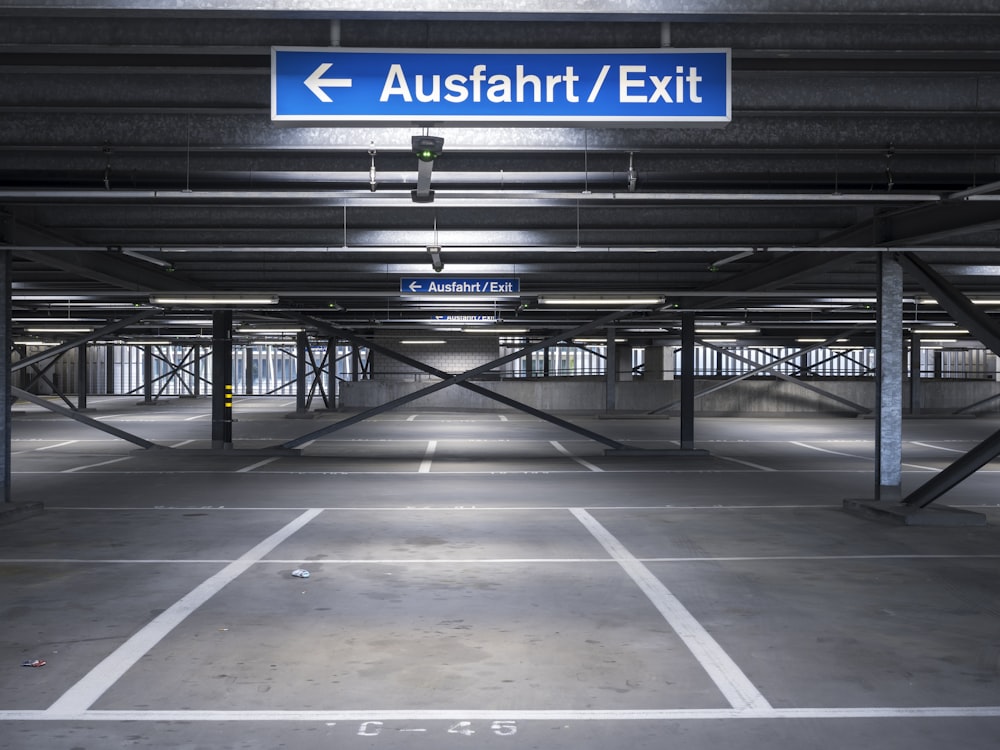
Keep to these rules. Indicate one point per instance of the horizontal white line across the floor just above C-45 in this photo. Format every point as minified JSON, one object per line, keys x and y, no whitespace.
{"x":479,"y":714}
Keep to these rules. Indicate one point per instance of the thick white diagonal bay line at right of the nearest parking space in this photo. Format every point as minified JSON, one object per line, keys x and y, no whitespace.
{"x":724,"y":672}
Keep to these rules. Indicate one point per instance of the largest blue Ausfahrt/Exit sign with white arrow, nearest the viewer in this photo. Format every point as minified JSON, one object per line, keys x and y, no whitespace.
{"x":566,"y":87}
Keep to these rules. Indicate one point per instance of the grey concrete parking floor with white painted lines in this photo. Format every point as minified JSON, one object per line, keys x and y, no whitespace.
{"x":488,"y":580}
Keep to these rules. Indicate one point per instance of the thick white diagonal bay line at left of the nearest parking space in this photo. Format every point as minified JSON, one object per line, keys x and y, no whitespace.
{"x":95,"y":683}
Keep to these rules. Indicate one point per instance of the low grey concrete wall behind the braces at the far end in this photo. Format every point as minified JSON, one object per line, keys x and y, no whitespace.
{"x":753,"y":397}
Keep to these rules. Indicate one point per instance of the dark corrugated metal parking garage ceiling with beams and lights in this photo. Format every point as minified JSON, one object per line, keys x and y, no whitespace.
{"x":138,"y":156}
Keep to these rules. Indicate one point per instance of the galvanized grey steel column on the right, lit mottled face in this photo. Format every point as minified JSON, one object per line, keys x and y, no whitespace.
{"x":889,"y":381}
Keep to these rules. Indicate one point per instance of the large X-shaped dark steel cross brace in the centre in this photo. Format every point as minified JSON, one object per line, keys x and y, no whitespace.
{"x":460,"y":379}
